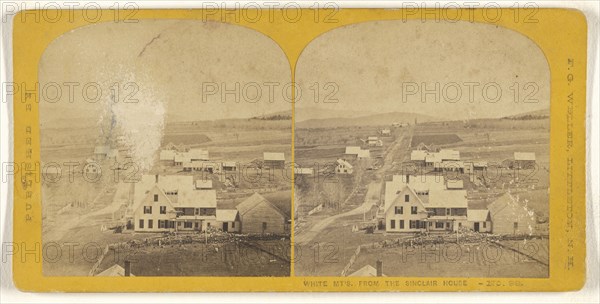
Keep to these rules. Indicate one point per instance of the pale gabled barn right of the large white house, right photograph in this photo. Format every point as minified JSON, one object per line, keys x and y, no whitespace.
{"x":509,"y":216}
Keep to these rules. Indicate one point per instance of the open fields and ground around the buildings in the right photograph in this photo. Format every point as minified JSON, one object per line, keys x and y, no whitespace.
{"x":491,"y":140}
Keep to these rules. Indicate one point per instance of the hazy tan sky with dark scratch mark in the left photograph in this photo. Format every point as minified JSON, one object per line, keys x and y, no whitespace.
{"x":171,"y":61}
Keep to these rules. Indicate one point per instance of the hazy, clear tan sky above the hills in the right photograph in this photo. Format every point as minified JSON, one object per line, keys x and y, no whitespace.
{"x":386,"y":66}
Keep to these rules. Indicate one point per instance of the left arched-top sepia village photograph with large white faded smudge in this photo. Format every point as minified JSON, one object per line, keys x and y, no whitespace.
{"x":165,"y":151}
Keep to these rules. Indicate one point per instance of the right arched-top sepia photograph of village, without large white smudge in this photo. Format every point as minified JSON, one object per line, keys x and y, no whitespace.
{"x":422,"y":149}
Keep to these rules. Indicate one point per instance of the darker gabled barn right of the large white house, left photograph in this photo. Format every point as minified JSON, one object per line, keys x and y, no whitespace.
{"x":258,"y":215}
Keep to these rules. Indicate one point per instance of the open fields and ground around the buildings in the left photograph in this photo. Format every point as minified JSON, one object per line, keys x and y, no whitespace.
{"x":77,"y":211}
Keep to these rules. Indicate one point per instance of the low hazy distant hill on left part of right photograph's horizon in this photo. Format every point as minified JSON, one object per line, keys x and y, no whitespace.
{"x":373,"y":119}
